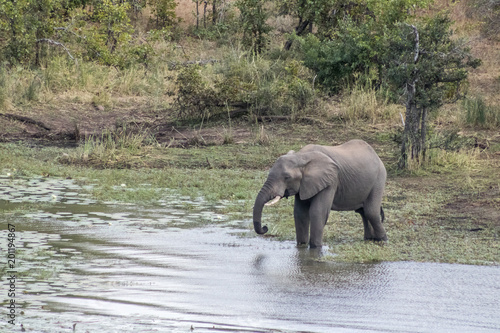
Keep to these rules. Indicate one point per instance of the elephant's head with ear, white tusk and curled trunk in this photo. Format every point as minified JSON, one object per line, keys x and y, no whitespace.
{"x":303,"y":174}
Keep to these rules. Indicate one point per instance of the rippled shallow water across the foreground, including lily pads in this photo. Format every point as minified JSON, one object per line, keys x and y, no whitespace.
{"x":112,"y":268}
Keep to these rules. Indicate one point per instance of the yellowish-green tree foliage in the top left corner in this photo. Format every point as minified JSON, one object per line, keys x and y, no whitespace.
{"x":103,"y":33}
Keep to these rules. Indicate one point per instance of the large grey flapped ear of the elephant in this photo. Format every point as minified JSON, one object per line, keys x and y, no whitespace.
{"x":320,"y":171}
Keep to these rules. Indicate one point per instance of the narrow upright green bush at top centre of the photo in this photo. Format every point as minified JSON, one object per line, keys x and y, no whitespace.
{"x":254,"y":26}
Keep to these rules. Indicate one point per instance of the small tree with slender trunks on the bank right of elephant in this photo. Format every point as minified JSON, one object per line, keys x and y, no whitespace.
{"x":425,"y":66}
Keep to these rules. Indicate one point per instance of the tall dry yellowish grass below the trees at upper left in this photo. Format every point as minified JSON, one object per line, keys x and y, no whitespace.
{"x":62,"y":82}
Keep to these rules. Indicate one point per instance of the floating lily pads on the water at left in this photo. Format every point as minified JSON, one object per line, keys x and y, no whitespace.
{"x":73,"y":204}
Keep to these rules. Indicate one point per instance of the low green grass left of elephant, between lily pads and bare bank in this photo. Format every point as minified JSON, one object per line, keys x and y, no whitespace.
{"x":189,"y":176}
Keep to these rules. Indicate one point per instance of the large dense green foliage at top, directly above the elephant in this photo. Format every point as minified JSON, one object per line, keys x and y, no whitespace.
{"x":350,"y":43}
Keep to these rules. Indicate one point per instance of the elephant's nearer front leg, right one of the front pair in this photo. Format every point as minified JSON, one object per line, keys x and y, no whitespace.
{"x":320,"y":209}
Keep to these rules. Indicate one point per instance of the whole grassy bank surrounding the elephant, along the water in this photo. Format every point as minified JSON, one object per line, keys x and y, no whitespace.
{"x":436,"y":214}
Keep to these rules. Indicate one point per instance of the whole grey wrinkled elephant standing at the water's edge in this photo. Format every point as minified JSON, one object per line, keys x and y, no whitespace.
{"x":323,"y":178}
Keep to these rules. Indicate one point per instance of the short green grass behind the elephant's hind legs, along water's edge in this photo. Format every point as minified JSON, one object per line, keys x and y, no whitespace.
{"x":419,"y":228}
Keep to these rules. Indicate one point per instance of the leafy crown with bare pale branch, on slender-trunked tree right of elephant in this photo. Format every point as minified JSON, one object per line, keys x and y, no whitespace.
{"x":439,"y":62}
